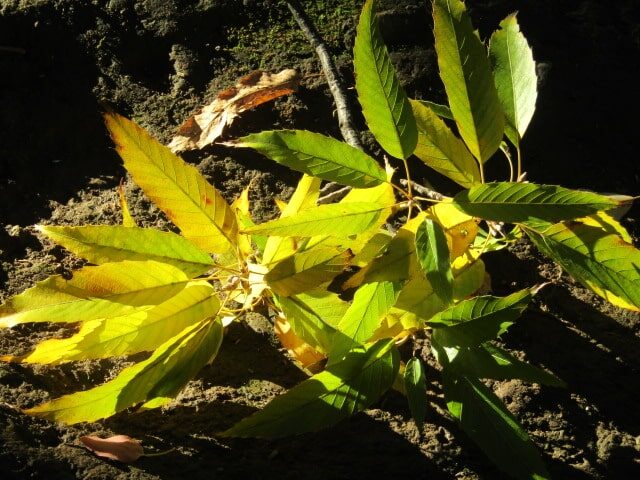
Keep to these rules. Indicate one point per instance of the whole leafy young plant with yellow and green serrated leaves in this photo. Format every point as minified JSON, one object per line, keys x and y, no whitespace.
{"x":171,"y":295}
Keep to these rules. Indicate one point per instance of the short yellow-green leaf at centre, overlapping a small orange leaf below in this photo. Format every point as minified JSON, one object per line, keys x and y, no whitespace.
{"x":313,"y":315}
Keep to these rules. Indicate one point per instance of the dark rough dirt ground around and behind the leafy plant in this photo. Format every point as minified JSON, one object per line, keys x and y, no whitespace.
{"x":156,"y":61}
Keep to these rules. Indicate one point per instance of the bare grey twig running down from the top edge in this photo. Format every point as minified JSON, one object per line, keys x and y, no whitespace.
{"x":345,"y":120}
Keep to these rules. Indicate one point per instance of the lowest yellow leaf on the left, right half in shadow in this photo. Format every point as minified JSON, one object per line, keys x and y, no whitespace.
{"x":159,"y":377}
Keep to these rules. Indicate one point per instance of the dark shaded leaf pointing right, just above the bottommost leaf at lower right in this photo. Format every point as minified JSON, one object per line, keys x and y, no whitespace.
{"x":489,"y":361}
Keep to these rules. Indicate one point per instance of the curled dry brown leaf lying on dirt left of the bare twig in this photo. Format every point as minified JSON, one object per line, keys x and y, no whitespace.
{"x":258,"y":87}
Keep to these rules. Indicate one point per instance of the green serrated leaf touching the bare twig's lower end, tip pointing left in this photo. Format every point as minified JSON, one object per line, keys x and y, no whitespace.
{"x":317,"y":155}
